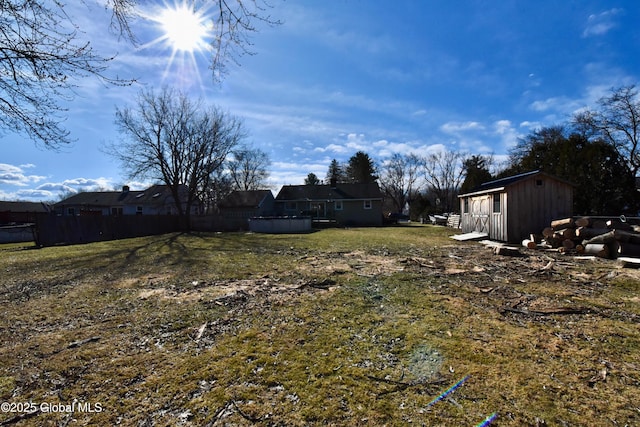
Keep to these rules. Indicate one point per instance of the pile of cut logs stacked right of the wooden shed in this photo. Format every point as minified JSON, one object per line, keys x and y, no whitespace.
{"x":605,"y":238}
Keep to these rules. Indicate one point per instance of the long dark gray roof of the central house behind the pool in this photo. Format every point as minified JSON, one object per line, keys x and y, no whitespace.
{"x":328,"y":192}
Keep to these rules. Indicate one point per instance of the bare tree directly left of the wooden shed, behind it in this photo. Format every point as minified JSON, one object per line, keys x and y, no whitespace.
{"x":444,"y":172}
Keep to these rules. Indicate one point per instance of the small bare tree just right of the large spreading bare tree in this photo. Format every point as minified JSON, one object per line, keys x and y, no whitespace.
{"x":248,"y":168}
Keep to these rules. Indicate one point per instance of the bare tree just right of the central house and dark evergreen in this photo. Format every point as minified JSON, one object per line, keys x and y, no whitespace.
{"x":400,"y":178}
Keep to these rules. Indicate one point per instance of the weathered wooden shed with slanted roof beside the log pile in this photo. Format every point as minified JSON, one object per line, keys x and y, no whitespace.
{"x":510,"y":209}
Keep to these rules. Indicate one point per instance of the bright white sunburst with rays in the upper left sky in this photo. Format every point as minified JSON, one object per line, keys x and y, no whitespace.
{"x":186,"y":30}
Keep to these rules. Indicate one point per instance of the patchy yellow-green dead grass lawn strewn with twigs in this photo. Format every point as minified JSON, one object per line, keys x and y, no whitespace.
{"x":338,"y":327}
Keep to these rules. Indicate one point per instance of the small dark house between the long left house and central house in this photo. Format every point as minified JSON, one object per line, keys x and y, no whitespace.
{"x":247,"y":204}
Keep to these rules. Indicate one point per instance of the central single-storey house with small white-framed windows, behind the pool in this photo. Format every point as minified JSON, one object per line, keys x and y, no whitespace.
{"x":342,"y":203}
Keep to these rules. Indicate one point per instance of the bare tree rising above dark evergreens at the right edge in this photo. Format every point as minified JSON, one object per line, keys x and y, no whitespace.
{"x":617,"y":120}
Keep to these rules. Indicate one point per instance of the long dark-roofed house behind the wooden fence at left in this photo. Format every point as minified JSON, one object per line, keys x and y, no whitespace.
{"x":155,"y":200}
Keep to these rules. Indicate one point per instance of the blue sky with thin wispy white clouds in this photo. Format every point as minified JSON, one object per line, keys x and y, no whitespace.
{"x":341,"y":76}
